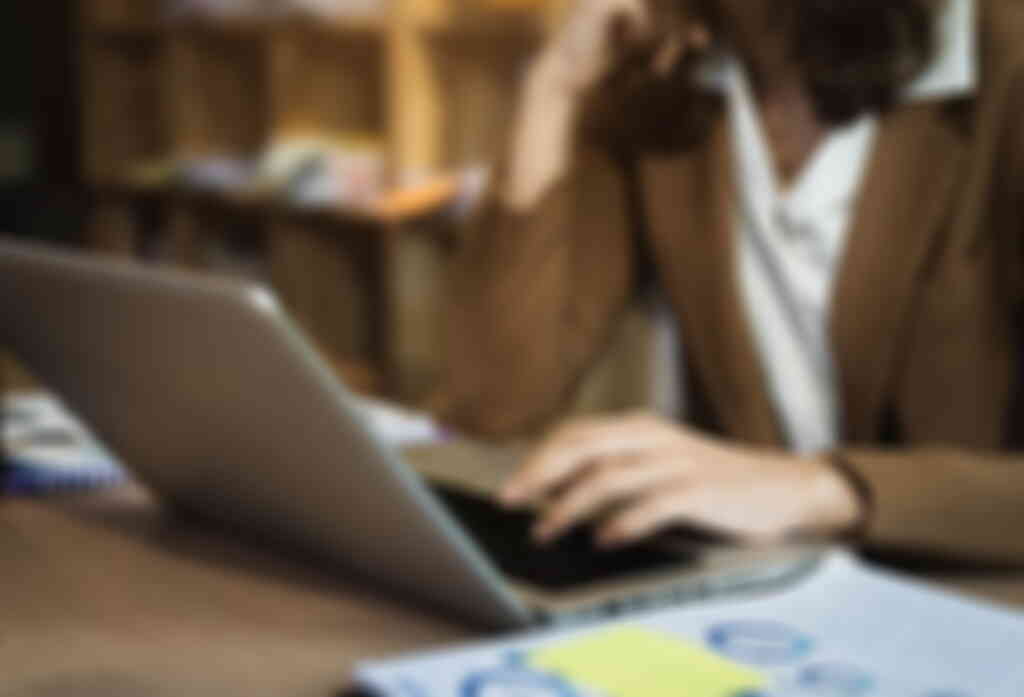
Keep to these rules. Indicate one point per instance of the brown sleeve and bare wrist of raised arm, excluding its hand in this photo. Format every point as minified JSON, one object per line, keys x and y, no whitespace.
{"x":542,"y":275}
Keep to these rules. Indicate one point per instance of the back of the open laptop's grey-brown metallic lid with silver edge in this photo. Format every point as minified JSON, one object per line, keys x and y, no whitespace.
{"x":209,"y":394}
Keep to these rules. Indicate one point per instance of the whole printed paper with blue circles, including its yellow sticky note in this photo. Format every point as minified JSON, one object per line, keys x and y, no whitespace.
{"x":847,"y":631}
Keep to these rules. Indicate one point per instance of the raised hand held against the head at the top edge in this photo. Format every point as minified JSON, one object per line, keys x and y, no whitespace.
{"x":601,"y":35}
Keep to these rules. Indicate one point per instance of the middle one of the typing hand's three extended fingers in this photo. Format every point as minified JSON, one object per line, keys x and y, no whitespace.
{"x":612,"y":482}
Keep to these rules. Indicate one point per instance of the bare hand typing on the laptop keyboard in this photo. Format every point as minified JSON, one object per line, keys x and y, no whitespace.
{"x":654,"y":474}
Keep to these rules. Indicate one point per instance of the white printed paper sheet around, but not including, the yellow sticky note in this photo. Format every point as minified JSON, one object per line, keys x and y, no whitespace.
{"x":848,"y":631}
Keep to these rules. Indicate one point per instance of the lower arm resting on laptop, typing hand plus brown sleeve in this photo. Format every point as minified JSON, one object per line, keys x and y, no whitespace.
{"x":965,"y":505}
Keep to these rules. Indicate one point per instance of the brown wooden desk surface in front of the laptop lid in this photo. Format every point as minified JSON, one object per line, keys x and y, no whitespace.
{"x":106,"y":596}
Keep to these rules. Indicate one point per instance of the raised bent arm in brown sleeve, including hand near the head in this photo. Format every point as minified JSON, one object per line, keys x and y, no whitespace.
{"x":548,"y":265}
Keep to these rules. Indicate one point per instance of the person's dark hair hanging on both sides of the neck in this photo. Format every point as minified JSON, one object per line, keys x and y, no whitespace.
{"x":856,"y":57}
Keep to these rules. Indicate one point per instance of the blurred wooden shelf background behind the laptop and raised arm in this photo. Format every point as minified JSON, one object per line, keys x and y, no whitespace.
{"x":326,"y":148}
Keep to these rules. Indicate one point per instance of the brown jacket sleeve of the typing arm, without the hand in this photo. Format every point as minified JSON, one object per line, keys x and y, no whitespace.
{"x":959,"y":503}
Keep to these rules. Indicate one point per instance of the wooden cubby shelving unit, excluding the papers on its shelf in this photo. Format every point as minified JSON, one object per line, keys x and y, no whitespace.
{"x":432,"y":81}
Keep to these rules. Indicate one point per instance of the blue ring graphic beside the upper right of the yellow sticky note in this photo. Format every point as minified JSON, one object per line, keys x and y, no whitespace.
{"x":761,"y":643}
